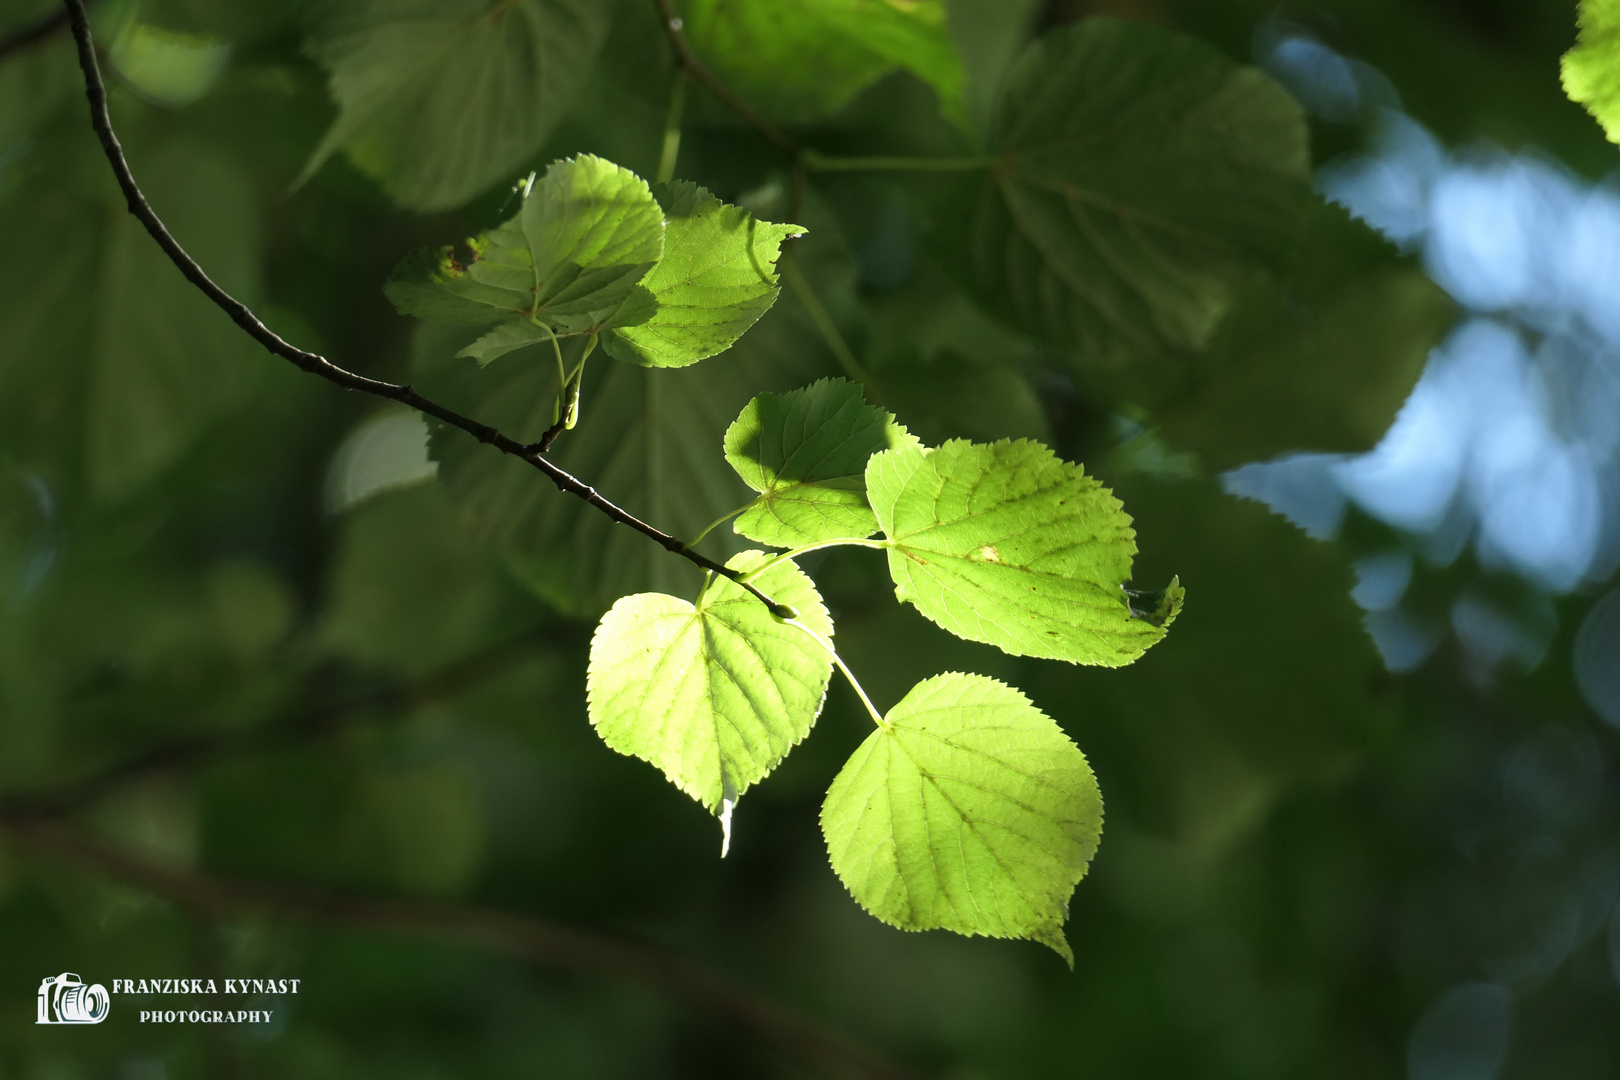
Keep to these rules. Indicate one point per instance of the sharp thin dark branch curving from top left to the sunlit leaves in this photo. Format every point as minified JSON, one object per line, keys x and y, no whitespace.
{"x":96,"y":91}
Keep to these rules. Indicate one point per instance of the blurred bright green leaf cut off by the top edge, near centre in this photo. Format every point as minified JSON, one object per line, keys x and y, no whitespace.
{"x":803,"y":59}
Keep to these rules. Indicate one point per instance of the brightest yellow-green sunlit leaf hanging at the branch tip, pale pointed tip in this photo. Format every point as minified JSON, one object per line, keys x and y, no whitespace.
{"x":714,"y":694}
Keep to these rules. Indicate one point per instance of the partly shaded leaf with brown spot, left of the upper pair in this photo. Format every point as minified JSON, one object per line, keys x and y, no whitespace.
{"x":571,"y":261}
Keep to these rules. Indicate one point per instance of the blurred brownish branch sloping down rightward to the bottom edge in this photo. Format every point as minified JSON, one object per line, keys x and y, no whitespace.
{"x":539,"y":942}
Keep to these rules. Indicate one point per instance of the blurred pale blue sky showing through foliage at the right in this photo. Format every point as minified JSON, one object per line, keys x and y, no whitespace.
{"x":1511,"y":440}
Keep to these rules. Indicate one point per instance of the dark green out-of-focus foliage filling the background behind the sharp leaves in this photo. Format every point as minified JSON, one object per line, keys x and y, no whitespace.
{"x":1310,"y":867}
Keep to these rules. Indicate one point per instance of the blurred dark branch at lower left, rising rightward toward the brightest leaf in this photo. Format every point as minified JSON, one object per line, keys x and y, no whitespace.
{"x":301,"y":723}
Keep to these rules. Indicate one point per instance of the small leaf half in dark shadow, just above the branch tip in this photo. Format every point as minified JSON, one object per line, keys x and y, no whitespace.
{"x":806,"y":453}
